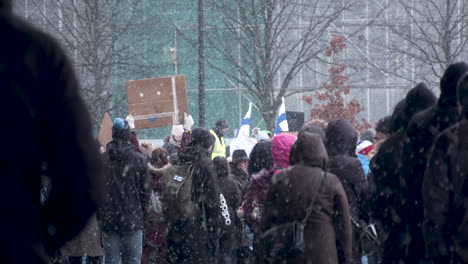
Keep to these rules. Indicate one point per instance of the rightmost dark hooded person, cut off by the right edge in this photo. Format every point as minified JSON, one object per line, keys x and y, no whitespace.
{"x":445,"y":191}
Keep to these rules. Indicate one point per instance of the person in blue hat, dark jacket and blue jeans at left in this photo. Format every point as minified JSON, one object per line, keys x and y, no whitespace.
{"x":123,"y":215}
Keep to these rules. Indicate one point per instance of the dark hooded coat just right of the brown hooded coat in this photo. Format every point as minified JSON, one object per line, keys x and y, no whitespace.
{"x":341,"y":147}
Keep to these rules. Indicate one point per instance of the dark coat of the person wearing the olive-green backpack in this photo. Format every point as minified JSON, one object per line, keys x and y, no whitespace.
{"x":188,"y":239}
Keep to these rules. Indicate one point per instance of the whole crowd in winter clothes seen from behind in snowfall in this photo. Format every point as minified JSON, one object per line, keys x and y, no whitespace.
{"x":395,"y":193}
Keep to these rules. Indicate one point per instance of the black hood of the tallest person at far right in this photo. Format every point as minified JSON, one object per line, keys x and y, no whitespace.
{"x":448,"y":83}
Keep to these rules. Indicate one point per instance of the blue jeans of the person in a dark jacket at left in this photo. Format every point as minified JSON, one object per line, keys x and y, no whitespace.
{"x":129,"y":245}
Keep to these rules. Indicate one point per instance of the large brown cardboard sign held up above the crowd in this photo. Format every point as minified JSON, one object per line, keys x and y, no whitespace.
{"x":157,"y":102}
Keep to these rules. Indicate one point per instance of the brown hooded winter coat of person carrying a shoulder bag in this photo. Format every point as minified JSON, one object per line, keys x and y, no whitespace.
{"x":327,"y":233}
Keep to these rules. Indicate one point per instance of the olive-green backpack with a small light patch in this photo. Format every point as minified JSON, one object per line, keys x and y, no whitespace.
{"x":176,"y":196}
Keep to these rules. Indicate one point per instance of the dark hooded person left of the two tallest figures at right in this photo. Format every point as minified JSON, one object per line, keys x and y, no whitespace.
{"x":387,"y":185}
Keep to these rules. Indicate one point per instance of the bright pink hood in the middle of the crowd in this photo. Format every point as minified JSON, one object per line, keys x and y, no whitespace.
{"x":280,"y":149}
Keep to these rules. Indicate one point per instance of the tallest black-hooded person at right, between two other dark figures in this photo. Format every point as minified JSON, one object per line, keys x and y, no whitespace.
{"x":420,"y":134}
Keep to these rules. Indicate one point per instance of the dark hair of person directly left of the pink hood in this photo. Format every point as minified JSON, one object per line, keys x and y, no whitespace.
{"x":260,"y":157}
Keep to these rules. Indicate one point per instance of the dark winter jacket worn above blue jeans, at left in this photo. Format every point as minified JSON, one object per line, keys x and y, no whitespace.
{"x":128,"y":189}
